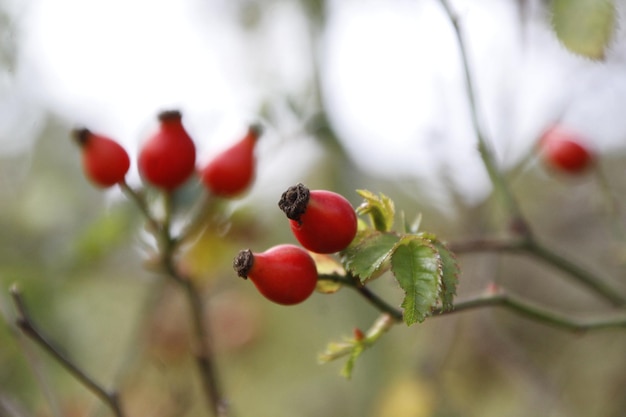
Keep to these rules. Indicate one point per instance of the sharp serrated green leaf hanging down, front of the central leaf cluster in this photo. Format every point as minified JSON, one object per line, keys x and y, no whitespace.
{"x":416,"y":265}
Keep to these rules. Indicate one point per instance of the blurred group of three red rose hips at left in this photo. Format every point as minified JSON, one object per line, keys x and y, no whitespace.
{"x":167,"y":159}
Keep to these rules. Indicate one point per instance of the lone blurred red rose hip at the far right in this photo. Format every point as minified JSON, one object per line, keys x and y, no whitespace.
{"x":565,"y":151}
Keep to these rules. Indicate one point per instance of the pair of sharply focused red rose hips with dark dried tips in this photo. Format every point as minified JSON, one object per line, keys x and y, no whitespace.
{"x":323,"y":222}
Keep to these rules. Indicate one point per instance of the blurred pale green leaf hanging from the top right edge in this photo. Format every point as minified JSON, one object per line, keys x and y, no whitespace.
{"x":585,"y":27}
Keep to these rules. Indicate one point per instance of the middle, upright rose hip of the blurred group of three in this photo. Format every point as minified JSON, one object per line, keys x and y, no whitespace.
{"x":167,"y":159}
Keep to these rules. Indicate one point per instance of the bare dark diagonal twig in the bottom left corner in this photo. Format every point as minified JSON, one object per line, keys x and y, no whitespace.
{"x":25,"y":323}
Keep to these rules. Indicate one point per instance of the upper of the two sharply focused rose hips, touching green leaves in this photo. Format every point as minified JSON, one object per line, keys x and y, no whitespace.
{"x":322,"y":221}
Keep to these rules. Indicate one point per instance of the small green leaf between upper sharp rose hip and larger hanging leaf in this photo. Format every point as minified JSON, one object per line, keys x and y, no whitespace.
{"x":367,"y":257}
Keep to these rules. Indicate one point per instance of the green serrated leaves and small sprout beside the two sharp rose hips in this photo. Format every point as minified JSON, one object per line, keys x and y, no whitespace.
{"x":423,"y":266}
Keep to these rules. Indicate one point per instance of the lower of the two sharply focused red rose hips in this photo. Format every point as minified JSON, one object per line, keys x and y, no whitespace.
{"x":284,"y":274}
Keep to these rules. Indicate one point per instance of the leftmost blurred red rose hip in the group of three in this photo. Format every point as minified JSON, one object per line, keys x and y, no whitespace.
{"x":105,"y":161}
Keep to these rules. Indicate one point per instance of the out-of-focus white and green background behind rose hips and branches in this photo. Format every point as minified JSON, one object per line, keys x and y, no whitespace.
{"x":353,"y":94}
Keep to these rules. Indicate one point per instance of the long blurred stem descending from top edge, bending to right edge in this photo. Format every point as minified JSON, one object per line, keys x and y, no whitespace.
{"x":519,"y":224}
